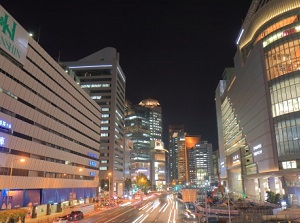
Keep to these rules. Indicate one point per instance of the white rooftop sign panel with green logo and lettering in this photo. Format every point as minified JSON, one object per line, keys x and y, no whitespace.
{"x":13,"y":37}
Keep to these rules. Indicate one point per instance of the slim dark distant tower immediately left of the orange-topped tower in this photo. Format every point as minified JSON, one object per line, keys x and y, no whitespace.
{"x":176,"y":141}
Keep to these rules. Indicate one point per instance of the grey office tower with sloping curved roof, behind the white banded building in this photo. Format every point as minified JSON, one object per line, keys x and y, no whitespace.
{"x":101,"y":75}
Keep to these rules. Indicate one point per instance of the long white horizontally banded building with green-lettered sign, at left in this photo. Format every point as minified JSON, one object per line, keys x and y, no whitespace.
{"x":48,"y":122}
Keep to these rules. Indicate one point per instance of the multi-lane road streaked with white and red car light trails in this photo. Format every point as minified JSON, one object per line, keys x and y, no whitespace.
{"x":164,"y":208}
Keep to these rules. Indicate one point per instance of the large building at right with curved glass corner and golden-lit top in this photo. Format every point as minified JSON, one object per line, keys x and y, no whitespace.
{"x":258,"y":104}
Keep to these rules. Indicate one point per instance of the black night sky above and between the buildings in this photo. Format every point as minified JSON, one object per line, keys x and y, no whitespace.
{"x":171,"y":51}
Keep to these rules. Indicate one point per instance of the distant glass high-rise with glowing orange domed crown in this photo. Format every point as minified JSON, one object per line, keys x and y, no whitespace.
{"x":143,"y":123}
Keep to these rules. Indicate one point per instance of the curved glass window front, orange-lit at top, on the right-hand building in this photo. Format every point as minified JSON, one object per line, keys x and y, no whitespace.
{"x":283,"y":65}
